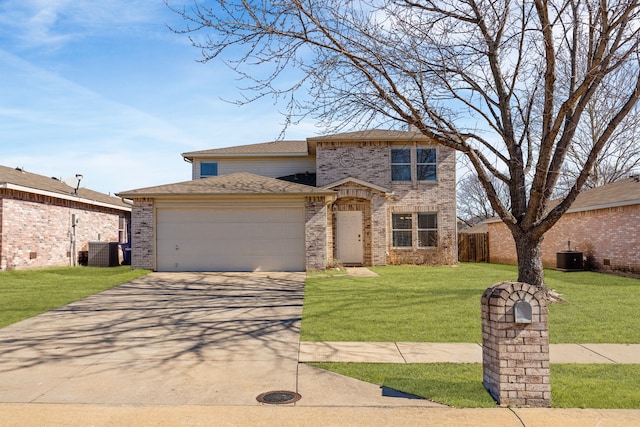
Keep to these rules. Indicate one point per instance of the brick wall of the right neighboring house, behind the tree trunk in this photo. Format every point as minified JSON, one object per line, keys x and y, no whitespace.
{"x":610,"y":234}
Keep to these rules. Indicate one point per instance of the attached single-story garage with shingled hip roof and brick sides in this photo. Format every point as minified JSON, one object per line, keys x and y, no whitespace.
{"x":235,"y":222}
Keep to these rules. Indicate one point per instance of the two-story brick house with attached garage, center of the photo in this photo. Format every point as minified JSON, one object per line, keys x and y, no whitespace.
{"x":361,"y":198}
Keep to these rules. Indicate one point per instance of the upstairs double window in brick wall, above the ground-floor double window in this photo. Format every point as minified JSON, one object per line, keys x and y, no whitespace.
{"x":413,"y":164}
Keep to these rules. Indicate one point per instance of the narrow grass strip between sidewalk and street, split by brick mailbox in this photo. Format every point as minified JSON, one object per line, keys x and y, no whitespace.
{"x":460,"y":385}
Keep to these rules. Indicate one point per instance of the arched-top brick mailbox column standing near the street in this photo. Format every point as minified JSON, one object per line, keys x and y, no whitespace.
{"x":515,"y":356}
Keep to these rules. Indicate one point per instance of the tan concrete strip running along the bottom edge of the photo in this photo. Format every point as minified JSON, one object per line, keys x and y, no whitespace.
{"x":295,"y":416}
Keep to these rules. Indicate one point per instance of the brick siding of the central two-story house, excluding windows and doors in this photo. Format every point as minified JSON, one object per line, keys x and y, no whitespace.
{"x":369,"y":161}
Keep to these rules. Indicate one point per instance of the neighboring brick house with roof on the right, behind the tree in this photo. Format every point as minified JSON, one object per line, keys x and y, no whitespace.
{"x":602,"y":223}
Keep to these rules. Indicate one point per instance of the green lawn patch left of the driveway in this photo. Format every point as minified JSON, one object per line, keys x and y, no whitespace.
{"x":26,"y":293}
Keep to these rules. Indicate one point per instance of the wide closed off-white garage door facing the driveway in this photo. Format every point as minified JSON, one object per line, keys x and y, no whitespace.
{"x":230,"y":239}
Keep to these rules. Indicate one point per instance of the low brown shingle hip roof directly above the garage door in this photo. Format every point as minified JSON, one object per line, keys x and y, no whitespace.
{"x":242,"y":183}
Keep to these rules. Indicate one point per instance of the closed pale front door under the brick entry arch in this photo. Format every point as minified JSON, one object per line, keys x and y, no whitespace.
{"x":349,"y":245}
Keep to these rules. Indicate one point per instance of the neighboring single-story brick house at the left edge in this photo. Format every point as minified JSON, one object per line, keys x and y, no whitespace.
{"x":36,"y":215}
